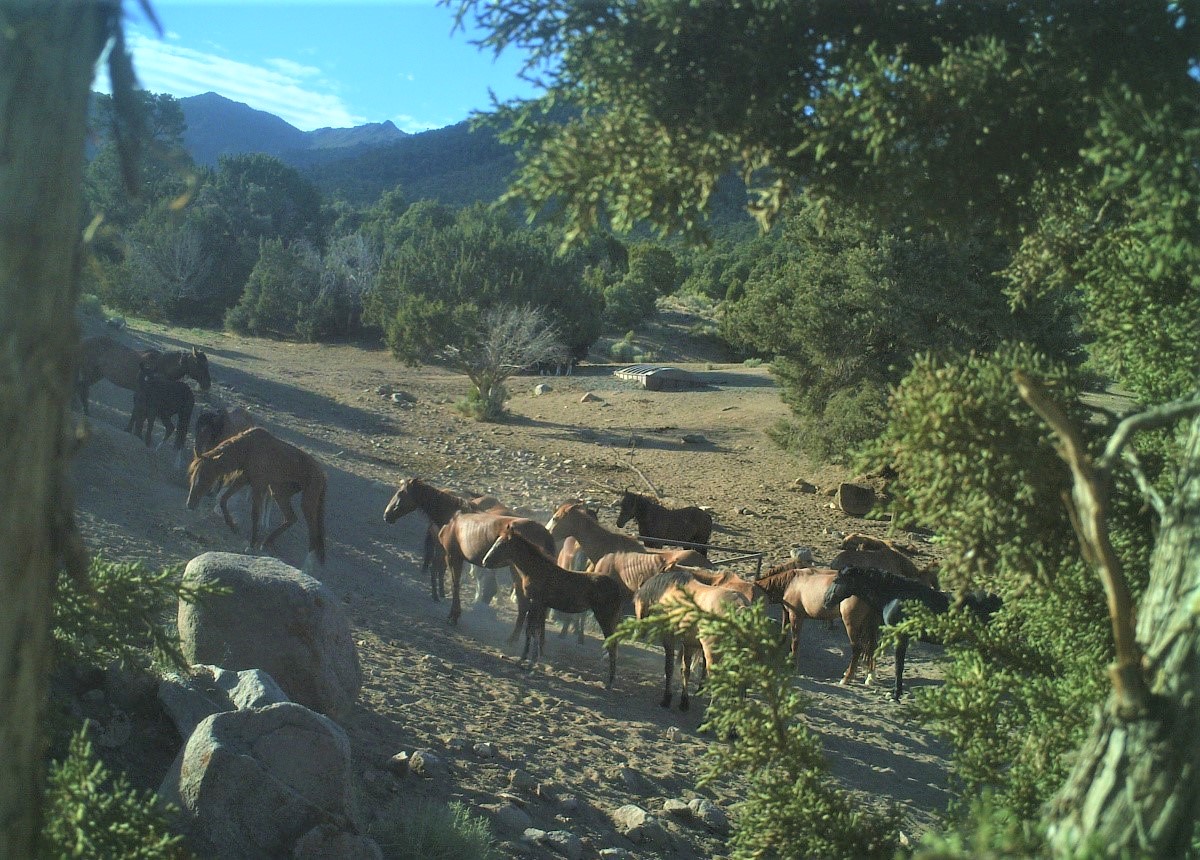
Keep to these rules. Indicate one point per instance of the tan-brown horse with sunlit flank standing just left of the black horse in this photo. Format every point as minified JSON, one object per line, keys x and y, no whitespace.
{"x":802,"y":591}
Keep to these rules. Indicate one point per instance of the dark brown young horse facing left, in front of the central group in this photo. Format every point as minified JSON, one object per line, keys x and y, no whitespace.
{"x":550,"y":587}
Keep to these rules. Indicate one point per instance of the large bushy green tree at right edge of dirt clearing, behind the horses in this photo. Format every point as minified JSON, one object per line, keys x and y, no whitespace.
{"x":844,"y":306}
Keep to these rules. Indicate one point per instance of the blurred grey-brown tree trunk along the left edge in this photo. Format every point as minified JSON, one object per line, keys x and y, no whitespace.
{"x":47,"y":57}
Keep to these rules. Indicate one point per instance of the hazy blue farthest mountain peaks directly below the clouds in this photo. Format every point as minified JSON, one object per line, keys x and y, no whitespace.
{"x":219,"y":127}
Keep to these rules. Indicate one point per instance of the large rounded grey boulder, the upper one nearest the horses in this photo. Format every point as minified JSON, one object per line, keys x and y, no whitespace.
{"x":278,"y":620}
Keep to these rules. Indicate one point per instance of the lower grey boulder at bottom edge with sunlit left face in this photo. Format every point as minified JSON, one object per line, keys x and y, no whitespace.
{"x":251,"y":784}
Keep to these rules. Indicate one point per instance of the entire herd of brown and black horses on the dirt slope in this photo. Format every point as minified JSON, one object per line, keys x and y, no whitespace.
{"x":573,"y":564}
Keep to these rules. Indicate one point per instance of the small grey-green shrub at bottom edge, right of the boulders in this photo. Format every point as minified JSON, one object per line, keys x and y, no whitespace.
{"x":435,"y":832}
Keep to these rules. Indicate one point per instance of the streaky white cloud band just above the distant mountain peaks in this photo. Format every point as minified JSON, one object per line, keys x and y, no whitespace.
{"x":283,"y":88}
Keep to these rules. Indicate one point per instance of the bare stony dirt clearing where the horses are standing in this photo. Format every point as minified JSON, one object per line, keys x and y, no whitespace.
{"x":429,"y":685}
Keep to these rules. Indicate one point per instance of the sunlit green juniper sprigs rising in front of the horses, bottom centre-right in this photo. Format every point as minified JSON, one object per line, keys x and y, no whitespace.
{"x":793,"y":808}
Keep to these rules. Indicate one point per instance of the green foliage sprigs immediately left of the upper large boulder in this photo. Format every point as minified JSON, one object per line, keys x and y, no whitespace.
{"x":124,"y":611}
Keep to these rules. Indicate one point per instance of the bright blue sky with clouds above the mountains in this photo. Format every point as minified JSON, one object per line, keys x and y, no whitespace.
{"x":322,"y":63}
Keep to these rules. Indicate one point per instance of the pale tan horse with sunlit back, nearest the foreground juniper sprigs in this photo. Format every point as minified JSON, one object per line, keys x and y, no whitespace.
{"x":673,"y":592}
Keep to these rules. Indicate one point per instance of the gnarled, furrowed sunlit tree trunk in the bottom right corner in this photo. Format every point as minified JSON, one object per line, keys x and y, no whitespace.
{"x":1136,"y":787}
